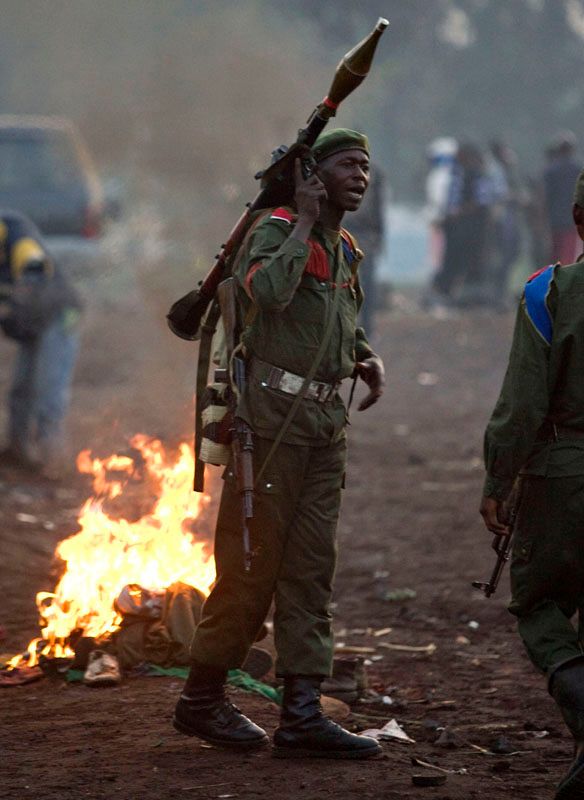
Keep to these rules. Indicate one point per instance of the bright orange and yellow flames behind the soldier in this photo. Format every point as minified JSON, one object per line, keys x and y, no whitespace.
{"x":108,"y":553}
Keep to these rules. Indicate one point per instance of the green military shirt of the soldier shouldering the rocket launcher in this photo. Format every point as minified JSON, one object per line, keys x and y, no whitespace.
{"x":286,"y":289}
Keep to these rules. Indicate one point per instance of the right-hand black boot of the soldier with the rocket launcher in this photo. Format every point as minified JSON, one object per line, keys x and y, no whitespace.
{"x":305,"y":732}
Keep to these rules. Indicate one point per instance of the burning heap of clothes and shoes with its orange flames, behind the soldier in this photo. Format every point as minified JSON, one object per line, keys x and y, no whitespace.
{"x":143,"y":527}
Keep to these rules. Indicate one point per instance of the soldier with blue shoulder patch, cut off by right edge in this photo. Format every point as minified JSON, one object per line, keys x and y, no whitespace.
{"x":537,"y":431}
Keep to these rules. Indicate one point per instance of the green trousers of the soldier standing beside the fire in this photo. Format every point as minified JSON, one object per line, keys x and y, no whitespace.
{"x":293,"y":538}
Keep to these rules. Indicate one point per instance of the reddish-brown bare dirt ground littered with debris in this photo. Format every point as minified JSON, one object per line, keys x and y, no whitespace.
{"x":409,"y":521}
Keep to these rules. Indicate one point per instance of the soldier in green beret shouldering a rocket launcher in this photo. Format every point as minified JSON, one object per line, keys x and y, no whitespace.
{"x":298,"y":271}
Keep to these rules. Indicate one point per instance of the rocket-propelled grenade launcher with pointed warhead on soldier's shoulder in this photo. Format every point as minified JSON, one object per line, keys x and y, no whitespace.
{"x":185,"y":316}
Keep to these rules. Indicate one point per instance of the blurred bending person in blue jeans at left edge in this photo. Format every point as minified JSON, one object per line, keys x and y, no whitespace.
{"x":39,"y":310}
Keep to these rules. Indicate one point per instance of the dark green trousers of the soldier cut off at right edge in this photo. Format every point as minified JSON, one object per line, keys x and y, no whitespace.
{"x":547,"y":569}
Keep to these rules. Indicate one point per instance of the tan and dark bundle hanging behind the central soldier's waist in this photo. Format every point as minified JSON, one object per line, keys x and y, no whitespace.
{"x":217,"y":425}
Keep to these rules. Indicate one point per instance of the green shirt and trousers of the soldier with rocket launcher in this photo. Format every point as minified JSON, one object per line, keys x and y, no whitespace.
{"x":296,"y":504}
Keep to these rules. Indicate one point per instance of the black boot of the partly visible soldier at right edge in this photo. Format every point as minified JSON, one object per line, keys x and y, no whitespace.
{"x":567,"y":688}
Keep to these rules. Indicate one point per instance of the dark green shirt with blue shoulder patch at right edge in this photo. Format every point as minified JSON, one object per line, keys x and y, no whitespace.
{"x":543,"y":383}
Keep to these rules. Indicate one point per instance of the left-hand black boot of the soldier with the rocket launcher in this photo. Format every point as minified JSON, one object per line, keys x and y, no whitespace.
{"x":203,"y":710}
